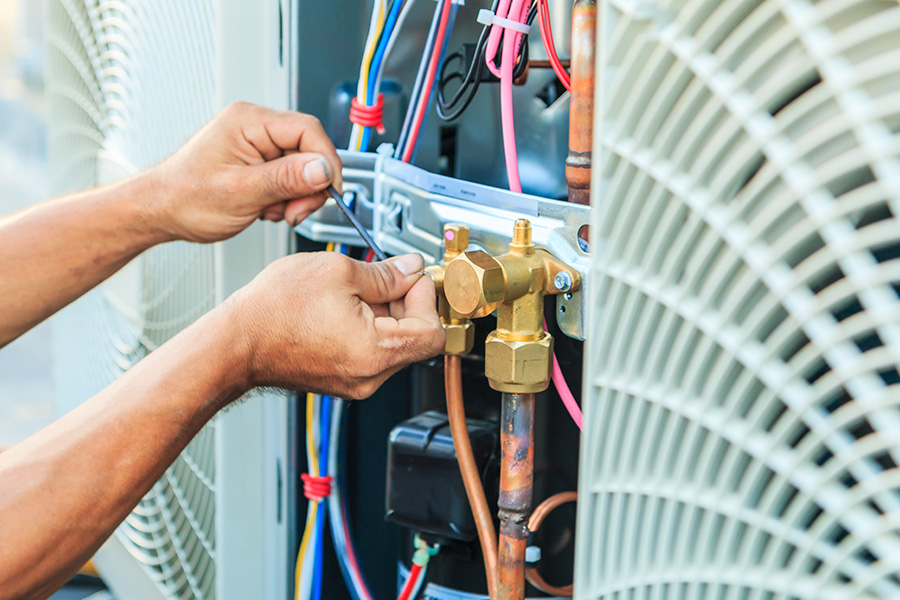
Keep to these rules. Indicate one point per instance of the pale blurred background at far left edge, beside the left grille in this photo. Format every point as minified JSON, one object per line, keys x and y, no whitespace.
{"x":25,"y":384}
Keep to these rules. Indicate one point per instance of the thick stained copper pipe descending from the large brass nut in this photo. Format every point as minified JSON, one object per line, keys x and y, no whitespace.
{"x":516,"y":491}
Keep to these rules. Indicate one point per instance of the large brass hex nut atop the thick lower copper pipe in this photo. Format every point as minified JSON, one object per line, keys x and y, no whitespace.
{"x":518,"y":367}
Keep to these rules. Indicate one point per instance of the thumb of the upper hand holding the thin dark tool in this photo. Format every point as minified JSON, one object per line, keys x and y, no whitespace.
{"x":294,"y":176}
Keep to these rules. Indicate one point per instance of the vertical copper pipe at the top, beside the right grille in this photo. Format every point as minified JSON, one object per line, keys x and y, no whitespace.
{"x":581,"y":107}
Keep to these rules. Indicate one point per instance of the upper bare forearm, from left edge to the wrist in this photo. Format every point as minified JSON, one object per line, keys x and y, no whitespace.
{"x":52,"y":253}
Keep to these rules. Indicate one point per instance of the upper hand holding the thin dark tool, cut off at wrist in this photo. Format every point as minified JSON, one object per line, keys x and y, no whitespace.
{"x":248,"y":163}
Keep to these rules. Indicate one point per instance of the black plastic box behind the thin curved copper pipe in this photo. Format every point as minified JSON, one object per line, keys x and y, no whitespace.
{"x":425,"y":490}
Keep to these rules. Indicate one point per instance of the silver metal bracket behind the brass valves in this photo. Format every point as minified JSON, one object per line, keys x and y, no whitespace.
{"x":406,"y":209}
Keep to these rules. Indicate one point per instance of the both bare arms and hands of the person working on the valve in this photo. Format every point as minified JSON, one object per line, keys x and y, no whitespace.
{"x":317,"y":322}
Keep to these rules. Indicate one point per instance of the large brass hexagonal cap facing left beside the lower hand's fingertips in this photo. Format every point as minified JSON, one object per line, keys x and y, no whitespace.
{"x":475,"y":284}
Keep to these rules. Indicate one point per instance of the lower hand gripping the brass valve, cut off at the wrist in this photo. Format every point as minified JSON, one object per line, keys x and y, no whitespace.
{"x":327,"y":323}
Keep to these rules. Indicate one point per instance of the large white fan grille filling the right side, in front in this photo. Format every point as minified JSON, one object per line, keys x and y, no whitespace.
{"x":742,"y":420}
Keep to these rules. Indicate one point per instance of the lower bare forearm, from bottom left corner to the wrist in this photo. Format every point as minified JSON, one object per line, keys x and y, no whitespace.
{"x":64,"y":490}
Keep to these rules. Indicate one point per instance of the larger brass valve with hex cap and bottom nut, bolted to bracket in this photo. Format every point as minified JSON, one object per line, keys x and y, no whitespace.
{"x":518,"y":353}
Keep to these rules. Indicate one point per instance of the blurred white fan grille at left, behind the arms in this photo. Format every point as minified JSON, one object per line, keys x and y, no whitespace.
{"x":129,"y":81}
